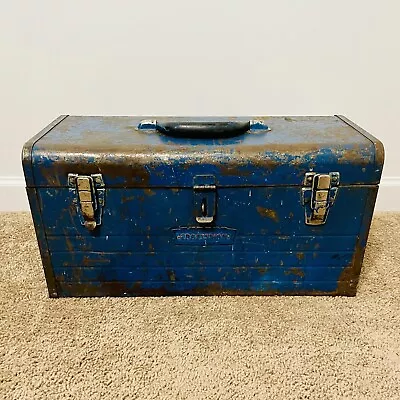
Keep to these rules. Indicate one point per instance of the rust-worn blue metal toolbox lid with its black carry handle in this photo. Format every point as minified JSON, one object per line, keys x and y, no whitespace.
{"x":171,"y":151}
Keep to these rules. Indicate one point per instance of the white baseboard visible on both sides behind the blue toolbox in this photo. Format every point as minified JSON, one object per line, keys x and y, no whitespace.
{"x":13,"y":195}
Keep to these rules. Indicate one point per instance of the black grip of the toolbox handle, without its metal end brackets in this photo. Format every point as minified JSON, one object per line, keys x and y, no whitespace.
{"x":204,"y":130}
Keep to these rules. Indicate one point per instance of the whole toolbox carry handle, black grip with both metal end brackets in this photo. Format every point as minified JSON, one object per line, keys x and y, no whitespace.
{"x":204,"y":130}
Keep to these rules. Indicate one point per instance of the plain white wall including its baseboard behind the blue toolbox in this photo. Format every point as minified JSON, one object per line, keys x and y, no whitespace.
{"x":209,"y":57}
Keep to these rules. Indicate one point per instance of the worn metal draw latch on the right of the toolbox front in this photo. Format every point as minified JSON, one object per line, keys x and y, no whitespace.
{"x":318,"y":195}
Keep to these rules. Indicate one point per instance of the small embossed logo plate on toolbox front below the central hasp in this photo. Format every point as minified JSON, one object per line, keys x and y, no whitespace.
{"x":204,"y":236}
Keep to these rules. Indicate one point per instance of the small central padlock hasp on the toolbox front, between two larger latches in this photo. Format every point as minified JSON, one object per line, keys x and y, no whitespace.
{"x":205,"y":193}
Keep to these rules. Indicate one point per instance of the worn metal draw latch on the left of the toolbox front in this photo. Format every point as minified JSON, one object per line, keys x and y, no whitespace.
{"x":88,"y":196}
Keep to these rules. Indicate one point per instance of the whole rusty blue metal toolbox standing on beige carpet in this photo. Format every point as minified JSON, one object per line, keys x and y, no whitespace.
{"x":131,"y":206}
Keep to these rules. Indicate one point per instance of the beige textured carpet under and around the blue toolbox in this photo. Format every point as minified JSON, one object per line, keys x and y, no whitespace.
{"x":195,"y":347}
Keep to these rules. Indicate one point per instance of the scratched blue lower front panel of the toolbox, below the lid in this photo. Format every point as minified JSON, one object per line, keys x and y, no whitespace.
{"x":259,"y":243}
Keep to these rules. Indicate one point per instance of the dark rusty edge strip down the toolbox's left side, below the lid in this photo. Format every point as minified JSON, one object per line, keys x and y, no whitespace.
{"x":42,"y":241}
